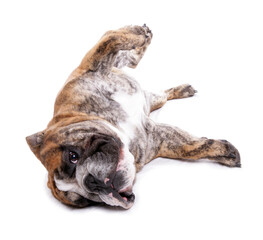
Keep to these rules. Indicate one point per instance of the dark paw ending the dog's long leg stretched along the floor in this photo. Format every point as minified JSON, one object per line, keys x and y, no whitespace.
{"x":230,"y":156}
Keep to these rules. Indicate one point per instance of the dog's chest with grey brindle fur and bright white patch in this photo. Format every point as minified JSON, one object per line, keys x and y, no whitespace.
{"x":117,"y":98}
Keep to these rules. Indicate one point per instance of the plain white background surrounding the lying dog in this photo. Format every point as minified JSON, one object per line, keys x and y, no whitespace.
{"x":217,"y":46}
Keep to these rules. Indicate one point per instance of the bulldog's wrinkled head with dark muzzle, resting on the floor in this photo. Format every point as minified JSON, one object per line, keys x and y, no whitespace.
{"x":87,"y":163}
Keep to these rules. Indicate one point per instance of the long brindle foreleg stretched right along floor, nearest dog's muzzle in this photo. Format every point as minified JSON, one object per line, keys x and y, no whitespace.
{"x":171,"y":142}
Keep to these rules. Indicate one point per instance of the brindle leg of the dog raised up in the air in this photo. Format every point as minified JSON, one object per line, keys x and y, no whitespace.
{"x":122,"y":47}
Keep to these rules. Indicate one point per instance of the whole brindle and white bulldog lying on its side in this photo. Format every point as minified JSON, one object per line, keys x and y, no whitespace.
{"x":101,"y":133}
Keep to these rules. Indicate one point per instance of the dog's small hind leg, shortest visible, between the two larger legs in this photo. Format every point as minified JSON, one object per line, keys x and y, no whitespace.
{"x":158,"y":100}
